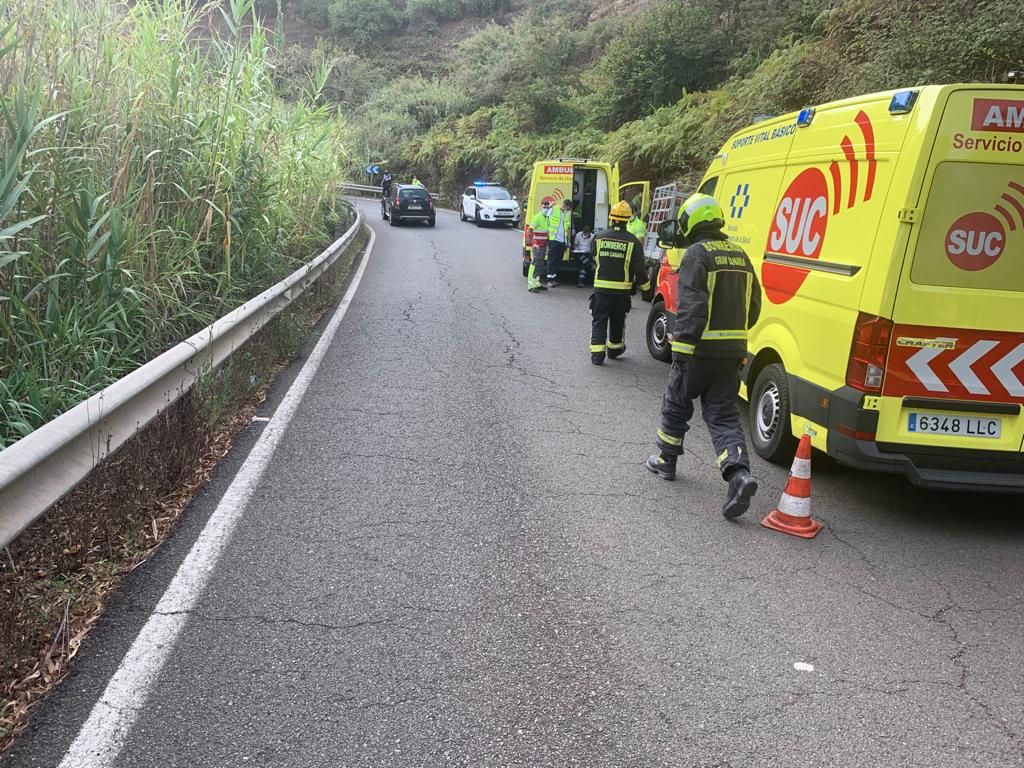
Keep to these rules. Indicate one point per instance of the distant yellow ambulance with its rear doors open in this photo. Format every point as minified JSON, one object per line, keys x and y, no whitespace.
{"x":592,"y":186}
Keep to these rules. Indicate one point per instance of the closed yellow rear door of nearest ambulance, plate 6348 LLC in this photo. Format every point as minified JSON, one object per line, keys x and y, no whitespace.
{"x":955,"y":375}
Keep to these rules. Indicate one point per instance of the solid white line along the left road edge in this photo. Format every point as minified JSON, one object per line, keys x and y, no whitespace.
{"x":102,"y":738}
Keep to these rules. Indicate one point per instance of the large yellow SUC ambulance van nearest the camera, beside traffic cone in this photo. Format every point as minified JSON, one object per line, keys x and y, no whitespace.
{"x":888,"y":233}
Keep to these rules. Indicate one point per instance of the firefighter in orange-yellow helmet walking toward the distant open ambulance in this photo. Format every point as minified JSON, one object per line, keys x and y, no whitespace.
{"x":619,"y":270}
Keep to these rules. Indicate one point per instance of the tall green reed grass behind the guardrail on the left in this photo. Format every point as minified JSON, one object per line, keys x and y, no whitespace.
{"x":148,"y":185}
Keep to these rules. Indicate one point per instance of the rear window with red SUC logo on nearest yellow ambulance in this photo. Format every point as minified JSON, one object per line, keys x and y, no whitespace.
{"x":972,"y":235}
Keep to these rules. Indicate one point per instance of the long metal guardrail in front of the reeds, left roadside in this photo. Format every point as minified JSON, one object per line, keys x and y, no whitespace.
{"x":38,"y":471}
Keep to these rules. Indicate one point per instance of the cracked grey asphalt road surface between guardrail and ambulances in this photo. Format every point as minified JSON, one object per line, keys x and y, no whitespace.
{"x":456,"y":558}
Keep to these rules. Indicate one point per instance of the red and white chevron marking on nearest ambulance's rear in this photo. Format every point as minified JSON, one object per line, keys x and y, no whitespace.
{"x":956,"y":364}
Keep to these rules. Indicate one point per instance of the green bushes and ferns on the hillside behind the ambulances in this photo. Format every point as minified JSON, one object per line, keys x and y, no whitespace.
{"x":659,"y":90}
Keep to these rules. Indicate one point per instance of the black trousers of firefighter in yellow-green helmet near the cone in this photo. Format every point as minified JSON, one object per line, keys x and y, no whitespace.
{"x":716,"y":382}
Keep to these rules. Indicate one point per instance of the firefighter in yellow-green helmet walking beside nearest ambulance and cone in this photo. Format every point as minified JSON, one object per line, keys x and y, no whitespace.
{"x":719,"y":301}
